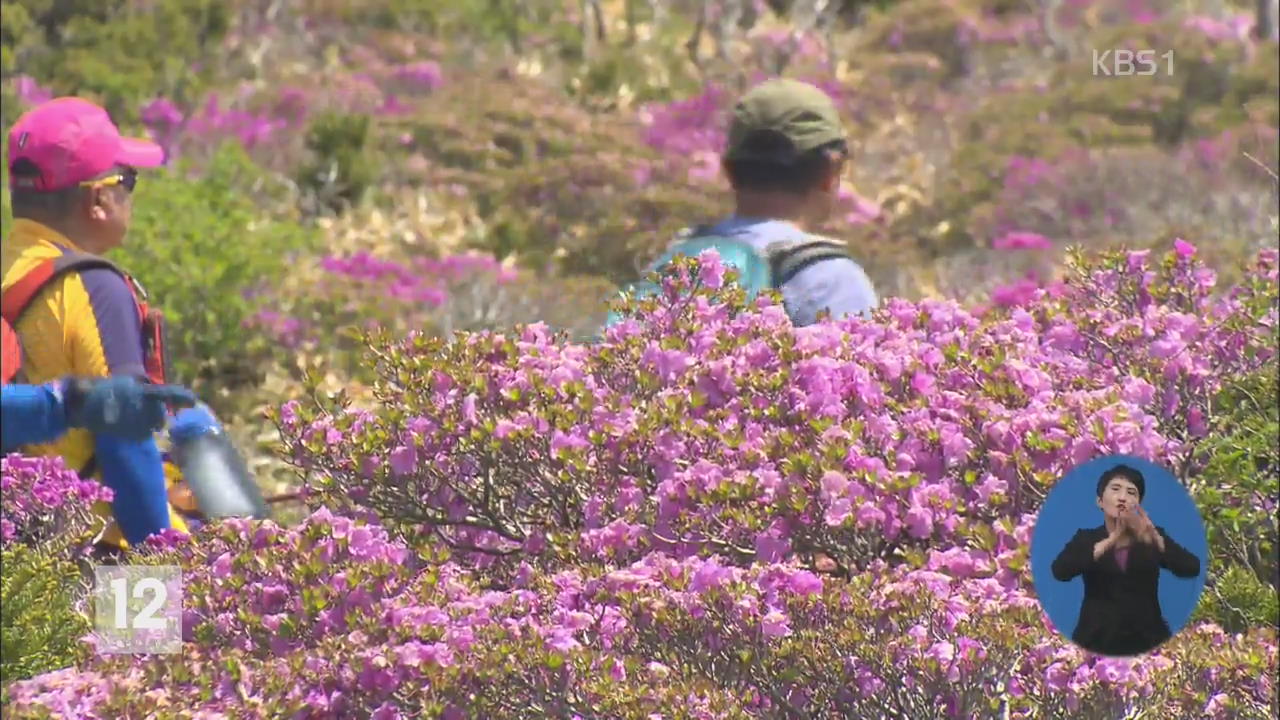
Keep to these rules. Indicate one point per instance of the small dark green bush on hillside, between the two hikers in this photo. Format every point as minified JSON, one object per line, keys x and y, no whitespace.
{"x":341,"y":170}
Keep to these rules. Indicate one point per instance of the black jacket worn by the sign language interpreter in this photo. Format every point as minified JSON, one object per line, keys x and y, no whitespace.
{"x":1121,"y":614}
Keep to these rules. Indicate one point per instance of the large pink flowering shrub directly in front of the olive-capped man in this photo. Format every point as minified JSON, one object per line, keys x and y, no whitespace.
{"x":857,"y":441}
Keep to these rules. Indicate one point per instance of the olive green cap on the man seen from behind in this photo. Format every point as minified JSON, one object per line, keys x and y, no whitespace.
{"x":781,"y":120}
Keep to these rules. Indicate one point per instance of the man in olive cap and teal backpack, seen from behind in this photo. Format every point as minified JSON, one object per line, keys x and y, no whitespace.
{"x":787,"y":151}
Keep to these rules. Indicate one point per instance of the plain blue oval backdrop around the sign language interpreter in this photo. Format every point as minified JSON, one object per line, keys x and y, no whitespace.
{"x":1072,"y":505}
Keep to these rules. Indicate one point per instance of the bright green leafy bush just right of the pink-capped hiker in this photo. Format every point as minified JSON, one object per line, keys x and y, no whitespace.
{"x":203,"y":249}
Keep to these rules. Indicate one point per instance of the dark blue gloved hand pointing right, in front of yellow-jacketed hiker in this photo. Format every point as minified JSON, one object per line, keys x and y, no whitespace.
{"x":121,"y":407}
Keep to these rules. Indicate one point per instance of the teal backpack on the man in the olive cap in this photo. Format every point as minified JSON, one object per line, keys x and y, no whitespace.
{"x":758,"y":271}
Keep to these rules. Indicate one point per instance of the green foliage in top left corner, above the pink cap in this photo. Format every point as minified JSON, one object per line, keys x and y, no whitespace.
{"x":117,"y":52}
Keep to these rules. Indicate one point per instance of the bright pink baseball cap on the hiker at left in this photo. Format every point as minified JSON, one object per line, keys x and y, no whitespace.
{"x":72,"y":140}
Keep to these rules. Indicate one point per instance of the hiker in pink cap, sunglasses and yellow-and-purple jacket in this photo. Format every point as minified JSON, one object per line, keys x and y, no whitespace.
{"x":75,"y":313}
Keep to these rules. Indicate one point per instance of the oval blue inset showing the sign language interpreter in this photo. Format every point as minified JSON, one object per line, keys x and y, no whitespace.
{"x":1119,"y":555}
